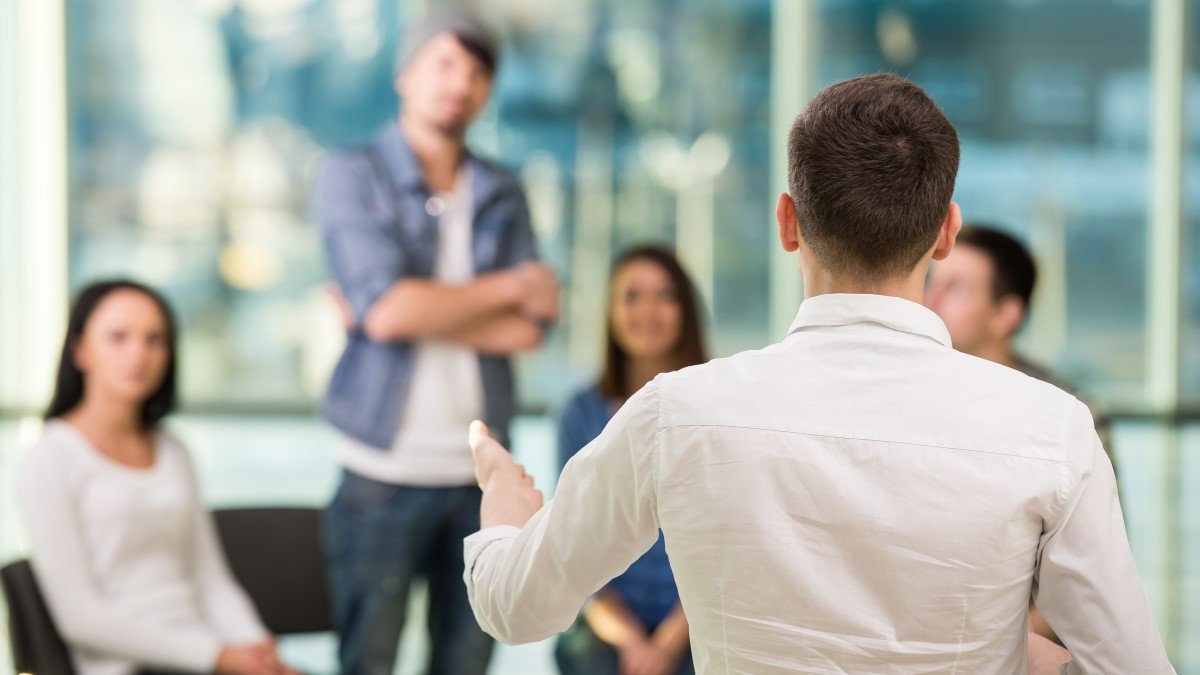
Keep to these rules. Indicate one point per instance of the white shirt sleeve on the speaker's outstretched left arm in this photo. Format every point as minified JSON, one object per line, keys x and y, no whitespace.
{"x":529,"y":584}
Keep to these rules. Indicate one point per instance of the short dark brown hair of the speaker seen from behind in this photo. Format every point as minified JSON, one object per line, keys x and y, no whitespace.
{"x":871,"y":169}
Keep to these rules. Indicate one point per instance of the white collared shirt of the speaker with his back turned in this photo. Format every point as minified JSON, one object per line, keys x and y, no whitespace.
{"x":856,"y":499}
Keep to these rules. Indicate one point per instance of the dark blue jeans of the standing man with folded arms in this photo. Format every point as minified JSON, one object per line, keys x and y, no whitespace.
{"x":379,"y":539}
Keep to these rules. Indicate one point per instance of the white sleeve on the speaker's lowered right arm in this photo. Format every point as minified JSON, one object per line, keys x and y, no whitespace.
{"x":1087,"y":582}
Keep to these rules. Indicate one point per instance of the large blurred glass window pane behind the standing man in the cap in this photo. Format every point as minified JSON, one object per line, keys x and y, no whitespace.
{"x":194,"y":129}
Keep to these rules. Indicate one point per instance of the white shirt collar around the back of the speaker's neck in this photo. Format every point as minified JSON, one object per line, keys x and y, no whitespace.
{"x":847,"y":309}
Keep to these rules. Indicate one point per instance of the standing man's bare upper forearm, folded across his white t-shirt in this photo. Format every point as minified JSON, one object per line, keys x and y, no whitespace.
{"x":421,"y":308}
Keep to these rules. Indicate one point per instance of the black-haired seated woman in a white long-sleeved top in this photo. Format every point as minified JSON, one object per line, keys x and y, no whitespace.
{"x":124,"y":551}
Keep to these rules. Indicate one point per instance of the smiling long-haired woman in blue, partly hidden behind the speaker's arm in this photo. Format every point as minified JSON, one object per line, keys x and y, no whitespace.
{"x":635,"y":624}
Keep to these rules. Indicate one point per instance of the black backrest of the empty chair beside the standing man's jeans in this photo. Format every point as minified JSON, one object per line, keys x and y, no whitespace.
{"x":277,"y":555}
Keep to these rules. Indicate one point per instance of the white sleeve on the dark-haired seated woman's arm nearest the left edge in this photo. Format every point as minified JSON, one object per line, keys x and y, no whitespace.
{"x":81,"y":612}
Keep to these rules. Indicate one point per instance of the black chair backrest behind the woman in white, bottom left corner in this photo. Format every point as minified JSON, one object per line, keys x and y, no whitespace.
{"x":35,"y":642}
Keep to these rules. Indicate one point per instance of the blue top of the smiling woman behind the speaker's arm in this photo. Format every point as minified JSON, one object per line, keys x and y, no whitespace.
{"x":649,"y":586}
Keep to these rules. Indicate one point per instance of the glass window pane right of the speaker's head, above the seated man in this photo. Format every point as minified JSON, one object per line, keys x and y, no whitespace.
{"x":1052,"y":105}
